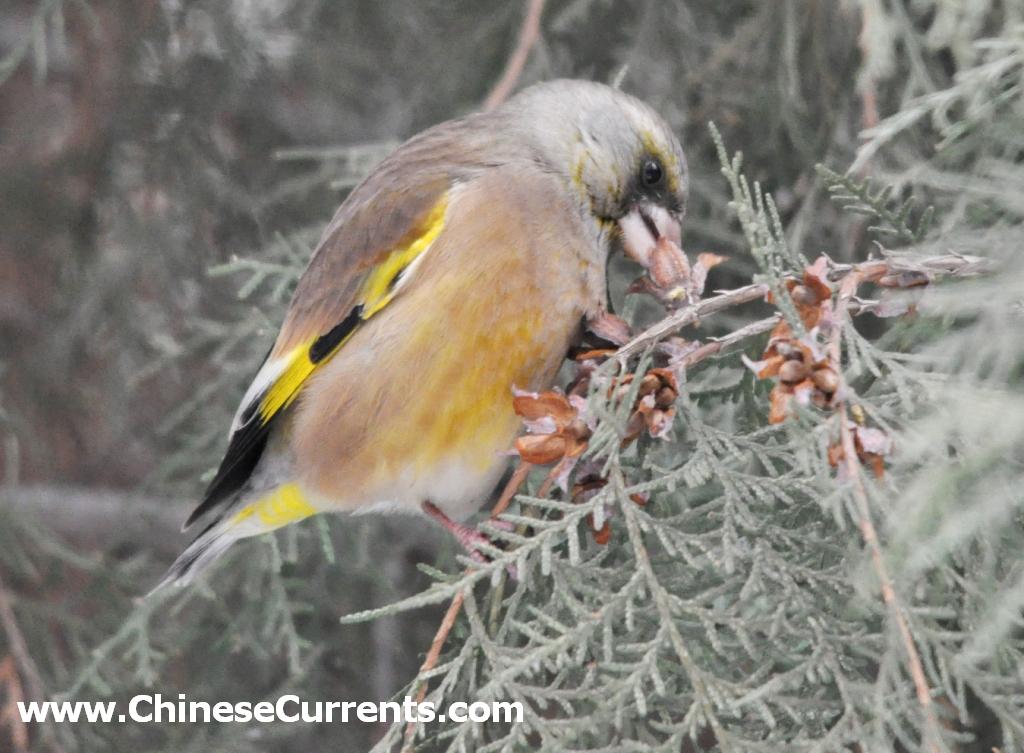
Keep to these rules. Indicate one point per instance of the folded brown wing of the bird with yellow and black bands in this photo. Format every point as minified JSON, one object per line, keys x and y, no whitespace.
{"x":359,"y":266}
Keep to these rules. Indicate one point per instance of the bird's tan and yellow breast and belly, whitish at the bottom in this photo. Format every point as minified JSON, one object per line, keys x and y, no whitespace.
{"x":418,"y":405}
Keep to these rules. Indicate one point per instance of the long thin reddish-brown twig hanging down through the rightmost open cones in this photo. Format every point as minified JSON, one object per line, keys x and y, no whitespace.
{"x":846,"y":292}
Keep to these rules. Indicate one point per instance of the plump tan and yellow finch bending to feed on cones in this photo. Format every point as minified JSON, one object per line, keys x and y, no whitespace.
{"x":463,"y":268}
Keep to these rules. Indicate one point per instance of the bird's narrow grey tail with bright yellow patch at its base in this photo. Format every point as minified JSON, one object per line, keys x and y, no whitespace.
{"x":282,"y":507}
